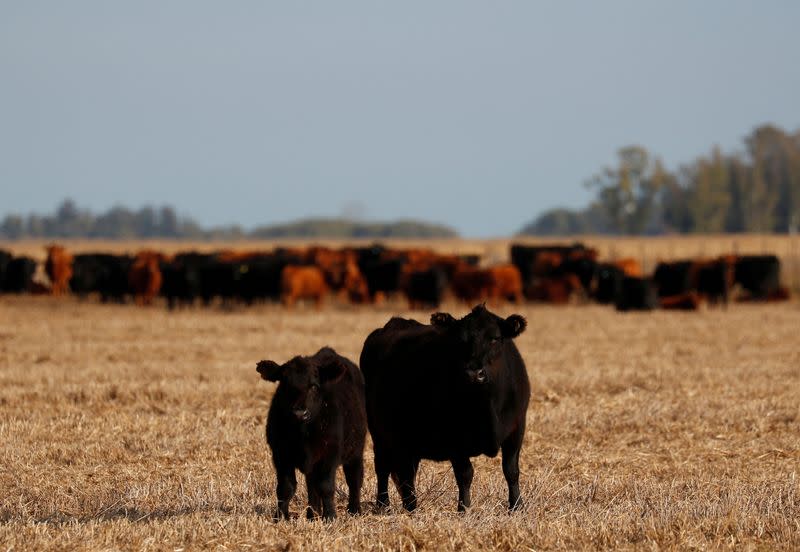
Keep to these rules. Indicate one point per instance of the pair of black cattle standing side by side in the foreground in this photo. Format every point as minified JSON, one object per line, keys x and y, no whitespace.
{"x":445,"y":391}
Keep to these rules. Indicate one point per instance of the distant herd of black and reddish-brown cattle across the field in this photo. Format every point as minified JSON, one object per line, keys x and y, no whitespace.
{"x":547,"y":273}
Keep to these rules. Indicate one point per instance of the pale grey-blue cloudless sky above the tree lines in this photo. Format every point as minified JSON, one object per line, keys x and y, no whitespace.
{"x":476,"y":114}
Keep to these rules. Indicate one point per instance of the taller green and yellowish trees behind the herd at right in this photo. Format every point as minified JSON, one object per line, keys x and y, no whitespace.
{"x":756,"y":190}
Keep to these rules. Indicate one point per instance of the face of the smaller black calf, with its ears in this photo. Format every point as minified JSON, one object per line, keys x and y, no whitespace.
{"x":302,"y":383}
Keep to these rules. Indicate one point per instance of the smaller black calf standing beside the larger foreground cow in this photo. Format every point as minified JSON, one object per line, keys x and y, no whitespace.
{"x":316,"y":422}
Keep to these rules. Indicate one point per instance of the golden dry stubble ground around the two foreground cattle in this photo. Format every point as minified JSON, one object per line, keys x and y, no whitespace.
{"x":137,"y":428}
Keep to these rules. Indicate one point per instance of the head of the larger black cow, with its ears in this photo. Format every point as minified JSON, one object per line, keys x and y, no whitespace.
{"x":479,"y":337}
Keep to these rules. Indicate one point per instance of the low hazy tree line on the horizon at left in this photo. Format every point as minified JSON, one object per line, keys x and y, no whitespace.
{"x":69,"y":221}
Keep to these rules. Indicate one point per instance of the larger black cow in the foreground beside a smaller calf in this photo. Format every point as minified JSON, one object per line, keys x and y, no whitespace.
{"x":448,"y":391}
